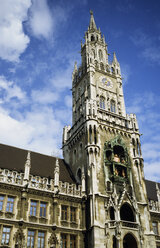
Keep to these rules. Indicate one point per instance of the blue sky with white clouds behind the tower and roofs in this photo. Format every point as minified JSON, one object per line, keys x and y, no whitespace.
{"x":40,"y":41}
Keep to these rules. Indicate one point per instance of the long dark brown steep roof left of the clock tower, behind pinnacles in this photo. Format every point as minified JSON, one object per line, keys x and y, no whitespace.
{"x":13,"y":158}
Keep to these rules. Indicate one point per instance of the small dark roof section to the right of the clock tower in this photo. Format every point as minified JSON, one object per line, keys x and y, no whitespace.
{"x":151,"y":190}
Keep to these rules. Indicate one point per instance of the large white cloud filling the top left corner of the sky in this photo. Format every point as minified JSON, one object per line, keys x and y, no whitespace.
{"x":13,"y":41}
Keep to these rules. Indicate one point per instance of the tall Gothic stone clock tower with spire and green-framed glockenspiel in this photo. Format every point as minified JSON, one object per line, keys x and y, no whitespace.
{"x":103,"y":150}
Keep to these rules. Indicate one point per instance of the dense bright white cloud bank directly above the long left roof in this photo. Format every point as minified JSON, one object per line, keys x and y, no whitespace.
{"x":38,"y":130}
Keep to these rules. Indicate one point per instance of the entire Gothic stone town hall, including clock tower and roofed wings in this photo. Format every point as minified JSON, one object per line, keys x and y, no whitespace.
{"x":97,"y":196}
